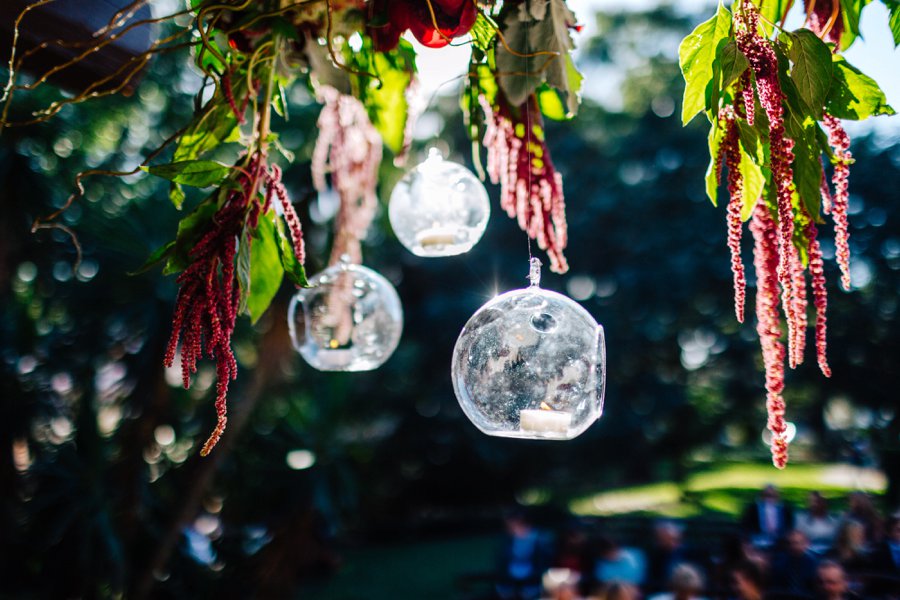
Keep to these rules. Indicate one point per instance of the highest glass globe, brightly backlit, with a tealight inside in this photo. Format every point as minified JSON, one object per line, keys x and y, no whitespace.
{"x":439,"y":208}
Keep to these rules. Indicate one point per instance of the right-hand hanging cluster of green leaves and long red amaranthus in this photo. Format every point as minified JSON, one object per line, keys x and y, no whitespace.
{"x":775,"y":100}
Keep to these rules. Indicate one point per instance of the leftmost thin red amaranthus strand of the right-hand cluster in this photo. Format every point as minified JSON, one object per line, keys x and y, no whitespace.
{"x":732,"y":156}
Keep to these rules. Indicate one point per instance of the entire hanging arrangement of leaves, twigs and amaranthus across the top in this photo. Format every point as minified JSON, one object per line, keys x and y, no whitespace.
{"x":774,"y":100}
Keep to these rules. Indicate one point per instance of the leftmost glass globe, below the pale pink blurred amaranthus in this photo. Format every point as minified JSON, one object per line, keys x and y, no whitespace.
{"x":349,"y":319}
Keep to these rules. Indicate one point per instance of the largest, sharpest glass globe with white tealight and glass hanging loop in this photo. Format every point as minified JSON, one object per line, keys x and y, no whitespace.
{"x":531,"y":364}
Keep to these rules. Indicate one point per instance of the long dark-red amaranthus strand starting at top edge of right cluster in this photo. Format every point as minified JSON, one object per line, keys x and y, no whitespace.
{"x":764,"y":64}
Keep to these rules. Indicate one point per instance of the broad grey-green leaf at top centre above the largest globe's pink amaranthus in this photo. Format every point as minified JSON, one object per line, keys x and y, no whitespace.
{"x":538,"y":34}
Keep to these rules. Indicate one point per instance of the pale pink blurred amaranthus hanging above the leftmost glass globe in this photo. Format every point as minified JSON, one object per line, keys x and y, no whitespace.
{"x":350,"y":149}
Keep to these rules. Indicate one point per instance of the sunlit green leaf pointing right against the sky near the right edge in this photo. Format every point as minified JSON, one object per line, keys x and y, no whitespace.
{"x":854,"y":95}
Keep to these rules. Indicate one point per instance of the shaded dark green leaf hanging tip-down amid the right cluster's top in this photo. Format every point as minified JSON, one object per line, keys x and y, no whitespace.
{"x":811,"y":70}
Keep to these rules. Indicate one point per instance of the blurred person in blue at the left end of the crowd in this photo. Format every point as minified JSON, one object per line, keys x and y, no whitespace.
{"x":524,"y":556}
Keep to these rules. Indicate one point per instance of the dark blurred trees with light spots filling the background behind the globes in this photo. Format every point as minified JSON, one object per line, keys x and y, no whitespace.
{"x":103,"y":492}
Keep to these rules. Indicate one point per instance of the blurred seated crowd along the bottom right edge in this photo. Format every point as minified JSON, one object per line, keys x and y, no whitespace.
{"x":774,"y":552}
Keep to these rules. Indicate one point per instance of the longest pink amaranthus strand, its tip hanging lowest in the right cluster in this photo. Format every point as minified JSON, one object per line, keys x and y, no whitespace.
{"x":765,"y":262}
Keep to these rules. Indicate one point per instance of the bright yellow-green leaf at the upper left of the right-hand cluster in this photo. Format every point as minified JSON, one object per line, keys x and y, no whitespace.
{"x":696,"y":56}
